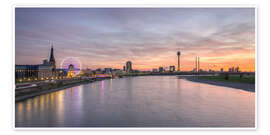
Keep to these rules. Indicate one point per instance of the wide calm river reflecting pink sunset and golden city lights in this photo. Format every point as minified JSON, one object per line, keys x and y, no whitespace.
{"x":147,"y":101}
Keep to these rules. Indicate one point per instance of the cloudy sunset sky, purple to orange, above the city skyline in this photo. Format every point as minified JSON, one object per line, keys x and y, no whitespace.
{"x":149,"y":37}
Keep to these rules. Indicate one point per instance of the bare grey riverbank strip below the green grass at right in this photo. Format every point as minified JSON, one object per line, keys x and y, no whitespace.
{"x":236,"y":85}
